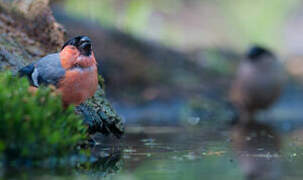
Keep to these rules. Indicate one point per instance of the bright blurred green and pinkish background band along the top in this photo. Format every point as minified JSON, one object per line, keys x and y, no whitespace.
{"x":241,"y":21}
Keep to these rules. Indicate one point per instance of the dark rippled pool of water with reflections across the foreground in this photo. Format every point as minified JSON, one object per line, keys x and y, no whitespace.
{"x":175,"y":152}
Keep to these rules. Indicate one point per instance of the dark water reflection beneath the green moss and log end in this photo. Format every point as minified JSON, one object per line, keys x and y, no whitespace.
{"x":81,"y":167}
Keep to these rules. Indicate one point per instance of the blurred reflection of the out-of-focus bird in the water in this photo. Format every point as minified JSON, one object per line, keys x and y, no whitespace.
{"x":257,"y":147}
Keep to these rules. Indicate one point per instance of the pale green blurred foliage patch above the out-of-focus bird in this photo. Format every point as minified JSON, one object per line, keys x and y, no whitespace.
{"x":258,"y":21}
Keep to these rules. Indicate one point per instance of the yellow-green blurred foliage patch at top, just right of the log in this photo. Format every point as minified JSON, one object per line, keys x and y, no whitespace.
{"x":135,"y":14}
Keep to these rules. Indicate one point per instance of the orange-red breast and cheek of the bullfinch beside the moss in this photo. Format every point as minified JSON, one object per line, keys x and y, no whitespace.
{"x":81,"y":77}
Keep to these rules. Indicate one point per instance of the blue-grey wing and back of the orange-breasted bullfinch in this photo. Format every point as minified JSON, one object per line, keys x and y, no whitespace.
{"x":47,"y":70}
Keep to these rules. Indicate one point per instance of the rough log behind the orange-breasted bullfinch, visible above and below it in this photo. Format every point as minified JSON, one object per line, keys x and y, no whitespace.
{"x":29,"y":31}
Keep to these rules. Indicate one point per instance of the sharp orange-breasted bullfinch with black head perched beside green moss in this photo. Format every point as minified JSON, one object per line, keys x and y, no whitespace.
{"x":73,"y":71}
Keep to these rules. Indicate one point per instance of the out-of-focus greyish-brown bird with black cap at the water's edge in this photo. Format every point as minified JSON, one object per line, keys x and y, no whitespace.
{"x":258,"y":83}
